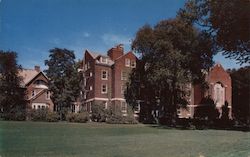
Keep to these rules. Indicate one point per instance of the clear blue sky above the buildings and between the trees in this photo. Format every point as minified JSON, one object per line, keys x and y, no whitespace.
{"x":32,"y":27}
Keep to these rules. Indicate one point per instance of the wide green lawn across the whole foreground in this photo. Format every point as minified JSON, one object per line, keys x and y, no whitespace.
{"x":102,"y":140}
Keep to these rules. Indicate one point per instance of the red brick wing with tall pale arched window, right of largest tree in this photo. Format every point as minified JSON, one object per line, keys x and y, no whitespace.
{"x":219,"y":90}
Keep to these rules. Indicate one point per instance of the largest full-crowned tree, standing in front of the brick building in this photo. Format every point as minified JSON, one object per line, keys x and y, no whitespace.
{"x":168,"y":53}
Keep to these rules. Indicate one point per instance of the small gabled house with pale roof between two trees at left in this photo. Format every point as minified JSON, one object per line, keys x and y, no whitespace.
{"x":35,"y":83}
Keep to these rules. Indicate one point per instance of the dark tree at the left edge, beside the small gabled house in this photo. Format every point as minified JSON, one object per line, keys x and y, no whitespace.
{"x":12,"y":96}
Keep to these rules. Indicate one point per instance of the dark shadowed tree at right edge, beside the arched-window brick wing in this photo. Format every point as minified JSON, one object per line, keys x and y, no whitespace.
{"x":241,"y":93}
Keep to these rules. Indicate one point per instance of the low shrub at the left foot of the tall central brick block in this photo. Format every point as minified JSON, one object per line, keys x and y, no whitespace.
{"x":82,"y":117}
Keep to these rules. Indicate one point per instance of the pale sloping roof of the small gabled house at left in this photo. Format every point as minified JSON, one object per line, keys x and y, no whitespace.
{"x":27,"y":75}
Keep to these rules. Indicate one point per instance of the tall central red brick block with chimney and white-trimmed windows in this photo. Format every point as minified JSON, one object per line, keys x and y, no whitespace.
{"x":105,"y":78}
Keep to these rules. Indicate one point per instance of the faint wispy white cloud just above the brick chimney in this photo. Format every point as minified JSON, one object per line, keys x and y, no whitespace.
{"x":114,"y":39}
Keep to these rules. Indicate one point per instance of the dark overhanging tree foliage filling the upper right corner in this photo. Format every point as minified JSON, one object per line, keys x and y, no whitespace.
{"x":227,"y":21}
